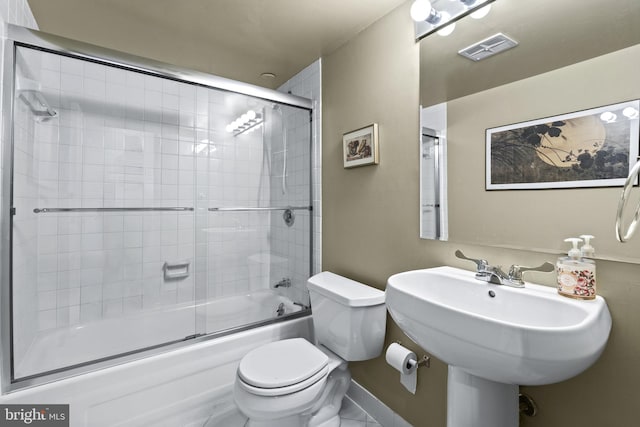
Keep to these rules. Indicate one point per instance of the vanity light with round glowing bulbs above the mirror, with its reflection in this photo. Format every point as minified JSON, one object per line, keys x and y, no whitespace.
{"x":440,"y":15}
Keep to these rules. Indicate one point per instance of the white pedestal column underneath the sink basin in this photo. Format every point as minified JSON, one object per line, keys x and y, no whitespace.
{"x":476,"y":402}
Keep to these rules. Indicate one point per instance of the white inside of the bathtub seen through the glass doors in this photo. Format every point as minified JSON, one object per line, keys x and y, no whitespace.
{"x":103,"y":339}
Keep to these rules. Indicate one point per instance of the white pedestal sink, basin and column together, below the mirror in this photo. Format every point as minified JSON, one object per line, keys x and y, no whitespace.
{"x":495,"y":337}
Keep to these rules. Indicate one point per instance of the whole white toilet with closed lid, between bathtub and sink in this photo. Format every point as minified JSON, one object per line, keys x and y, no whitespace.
{"x":293,"y":383}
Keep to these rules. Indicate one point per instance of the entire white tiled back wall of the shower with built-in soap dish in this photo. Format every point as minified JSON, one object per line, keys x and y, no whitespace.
{"x":128,"y":140}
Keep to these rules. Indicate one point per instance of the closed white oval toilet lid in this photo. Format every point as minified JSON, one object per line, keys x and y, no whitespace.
{"x":281,"y":363}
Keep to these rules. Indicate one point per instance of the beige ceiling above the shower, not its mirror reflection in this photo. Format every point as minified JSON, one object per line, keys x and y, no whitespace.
{"x":239,"y":39}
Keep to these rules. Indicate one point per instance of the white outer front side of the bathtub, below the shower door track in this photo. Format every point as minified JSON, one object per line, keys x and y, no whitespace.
{"x":184,"y":387}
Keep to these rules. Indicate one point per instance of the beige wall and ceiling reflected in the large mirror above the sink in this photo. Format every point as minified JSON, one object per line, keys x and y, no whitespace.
{"x":571,"y":56}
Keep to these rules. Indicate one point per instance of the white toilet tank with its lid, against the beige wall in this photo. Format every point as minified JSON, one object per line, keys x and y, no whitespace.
{"x":349,"y":317}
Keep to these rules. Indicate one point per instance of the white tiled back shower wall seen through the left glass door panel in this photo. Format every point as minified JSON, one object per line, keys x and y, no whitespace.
{"x":117,"y":142}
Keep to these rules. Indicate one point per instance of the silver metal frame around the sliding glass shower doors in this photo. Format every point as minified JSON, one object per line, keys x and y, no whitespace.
{"x":18,"y":36}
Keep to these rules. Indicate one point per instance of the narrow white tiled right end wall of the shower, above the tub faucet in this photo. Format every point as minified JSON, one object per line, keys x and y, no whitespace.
{"x":287,"y":244}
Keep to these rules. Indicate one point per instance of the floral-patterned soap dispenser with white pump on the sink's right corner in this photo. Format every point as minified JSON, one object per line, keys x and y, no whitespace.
{"x":576,"y":275}
